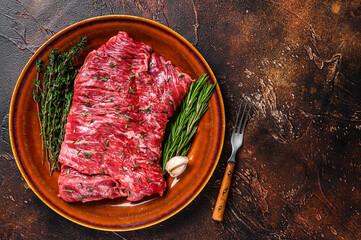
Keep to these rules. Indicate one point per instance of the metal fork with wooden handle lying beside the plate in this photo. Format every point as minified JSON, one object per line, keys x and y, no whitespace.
{"x":236,"y":141}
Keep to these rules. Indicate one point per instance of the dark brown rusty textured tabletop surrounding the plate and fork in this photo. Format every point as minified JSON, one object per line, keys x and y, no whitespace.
{"x":299,"y":173}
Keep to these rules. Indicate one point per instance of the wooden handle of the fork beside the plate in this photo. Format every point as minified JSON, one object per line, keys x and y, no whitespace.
{"x":223,"y":193}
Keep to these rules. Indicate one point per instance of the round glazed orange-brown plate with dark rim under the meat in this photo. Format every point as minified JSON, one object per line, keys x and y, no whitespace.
{"x":118,"y":214}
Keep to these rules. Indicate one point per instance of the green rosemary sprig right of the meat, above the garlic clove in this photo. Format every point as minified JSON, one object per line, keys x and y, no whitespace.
{"x":194,"y":105}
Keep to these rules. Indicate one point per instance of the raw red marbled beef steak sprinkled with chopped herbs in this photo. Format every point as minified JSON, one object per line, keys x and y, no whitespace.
{"x":123,"y":96}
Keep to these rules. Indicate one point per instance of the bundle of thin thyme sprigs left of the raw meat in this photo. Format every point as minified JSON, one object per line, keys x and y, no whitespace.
{"x":53,"y":94}
